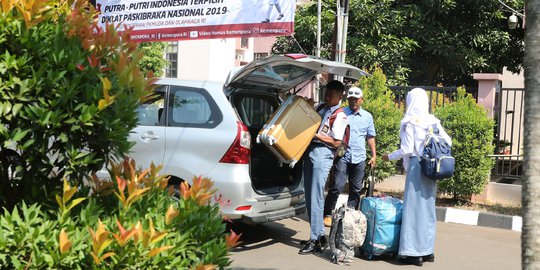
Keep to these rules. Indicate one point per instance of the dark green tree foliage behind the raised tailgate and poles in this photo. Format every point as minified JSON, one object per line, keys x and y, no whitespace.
{"x":418,"y":42}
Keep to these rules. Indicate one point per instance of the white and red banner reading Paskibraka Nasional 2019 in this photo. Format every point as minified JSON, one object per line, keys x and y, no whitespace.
{"x":166,"y":20}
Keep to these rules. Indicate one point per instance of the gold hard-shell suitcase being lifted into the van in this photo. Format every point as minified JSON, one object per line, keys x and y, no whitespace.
{"x":290,"y":130}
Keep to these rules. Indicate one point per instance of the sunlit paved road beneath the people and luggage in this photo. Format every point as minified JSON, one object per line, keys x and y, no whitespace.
{"x":275,"y":246}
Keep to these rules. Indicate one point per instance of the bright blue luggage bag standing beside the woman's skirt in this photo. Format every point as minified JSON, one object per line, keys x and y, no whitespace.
{"x":383,"y":214}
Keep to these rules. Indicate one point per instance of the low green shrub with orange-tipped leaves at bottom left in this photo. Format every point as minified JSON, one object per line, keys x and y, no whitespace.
{"x":131,"y":223}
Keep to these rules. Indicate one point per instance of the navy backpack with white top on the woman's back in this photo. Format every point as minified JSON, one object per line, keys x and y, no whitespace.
{"x":436,"y":160}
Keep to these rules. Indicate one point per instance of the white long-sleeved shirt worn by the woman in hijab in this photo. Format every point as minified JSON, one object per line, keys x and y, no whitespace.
{"x":412,"y":142}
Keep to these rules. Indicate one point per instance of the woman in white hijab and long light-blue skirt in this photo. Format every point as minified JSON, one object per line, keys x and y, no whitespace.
{"x":417,"y":237}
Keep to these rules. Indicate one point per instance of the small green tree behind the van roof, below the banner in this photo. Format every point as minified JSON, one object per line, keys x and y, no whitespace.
{"x":152,"y":58}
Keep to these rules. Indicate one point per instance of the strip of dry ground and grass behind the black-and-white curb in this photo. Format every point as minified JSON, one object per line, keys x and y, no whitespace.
{"x":510,"y":210}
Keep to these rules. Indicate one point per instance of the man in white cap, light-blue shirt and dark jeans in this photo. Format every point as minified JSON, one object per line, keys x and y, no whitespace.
{"x":353,"y":163}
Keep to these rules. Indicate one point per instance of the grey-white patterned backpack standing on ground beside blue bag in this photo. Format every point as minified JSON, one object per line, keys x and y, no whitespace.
{"x":348,"y":231}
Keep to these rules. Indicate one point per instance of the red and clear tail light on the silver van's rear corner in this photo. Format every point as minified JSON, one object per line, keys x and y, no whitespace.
{"x":240,"y":150}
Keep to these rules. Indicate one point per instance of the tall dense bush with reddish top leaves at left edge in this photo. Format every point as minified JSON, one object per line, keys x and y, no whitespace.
{"x":68,"y":95}
